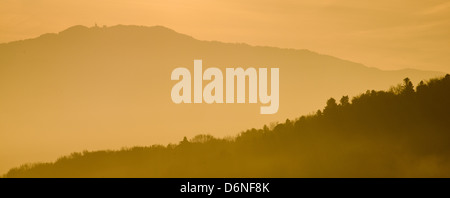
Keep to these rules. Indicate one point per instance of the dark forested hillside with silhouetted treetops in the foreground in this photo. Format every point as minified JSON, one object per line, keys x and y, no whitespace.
{"x":403,"y":132}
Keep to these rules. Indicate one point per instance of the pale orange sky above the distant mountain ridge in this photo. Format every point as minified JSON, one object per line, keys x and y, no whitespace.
{"x":387,"y":34}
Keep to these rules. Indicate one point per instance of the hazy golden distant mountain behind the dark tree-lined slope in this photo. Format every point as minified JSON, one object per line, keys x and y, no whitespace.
{"x":97,"y":88}
